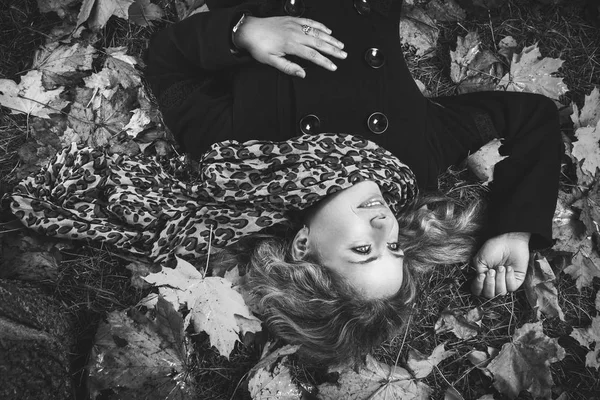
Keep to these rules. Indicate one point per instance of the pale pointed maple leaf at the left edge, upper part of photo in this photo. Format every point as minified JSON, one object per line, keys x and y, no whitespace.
{"x":29,"y":97}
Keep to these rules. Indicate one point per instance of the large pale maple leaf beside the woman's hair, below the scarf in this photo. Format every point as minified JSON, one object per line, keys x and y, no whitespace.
{"x":214,"y":306}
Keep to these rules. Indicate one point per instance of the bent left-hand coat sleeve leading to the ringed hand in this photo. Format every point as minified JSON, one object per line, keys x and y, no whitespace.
{"x":188,"y":67}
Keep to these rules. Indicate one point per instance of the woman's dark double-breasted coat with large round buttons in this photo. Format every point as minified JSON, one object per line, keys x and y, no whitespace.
{"x":208,"y":94}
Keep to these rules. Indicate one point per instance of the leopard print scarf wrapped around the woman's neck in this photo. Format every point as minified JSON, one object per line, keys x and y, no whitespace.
{"x":134,"y":204}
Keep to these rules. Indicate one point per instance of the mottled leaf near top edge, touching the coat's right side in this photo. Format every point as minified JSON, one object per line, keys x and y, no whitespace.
{"x":417,"y":29}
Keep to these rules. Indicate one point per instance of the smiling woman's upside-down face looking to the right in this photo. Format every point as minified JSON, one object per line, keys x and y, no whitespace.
{"x":355,"y":234}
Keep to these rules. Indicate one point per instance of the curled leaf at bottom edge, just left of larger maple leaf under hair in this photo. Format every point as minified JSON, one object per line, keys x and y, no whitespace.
{"x":271,"y":377}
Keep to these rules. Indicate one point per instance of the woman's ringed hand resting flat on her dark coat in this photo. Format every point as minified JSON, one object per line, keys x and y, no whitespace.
{"x":270,"y":40}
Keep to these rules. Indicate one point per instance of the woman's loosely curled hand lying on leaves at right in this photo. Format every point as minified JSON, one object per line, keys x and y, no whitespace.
{"x":501,"y":264}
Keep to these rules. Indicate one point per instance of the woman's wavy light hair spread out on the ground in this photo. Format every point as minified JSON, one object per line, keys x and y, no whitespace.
{"x":307,"y":304}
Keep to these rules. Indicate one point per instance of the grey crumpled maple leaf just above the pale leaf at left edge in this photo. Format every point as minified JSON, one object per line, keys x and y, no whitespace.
{"x":60,"y":63}
